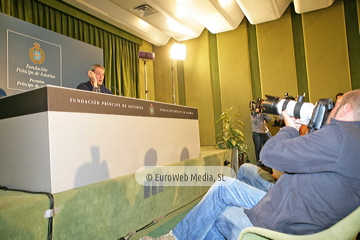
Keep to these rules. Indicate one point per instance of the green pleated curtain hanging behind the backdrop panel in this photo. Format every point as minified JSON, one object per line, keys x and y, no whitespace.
{"x":120,"y":55}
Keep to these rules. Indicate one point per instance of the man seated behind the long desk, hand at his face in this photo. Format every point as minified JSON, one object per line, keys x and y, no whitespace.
{"x":96,"y":78}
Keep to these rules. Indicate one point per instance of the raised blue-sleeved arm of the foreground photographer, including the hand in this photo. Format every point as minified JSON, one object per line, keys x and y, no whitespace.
{"x":314,"y":152}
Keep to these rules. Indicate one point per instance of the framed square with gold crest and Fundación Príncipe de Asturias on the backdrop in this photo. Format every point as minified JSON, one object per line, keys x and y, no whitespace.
{"x":32,"y":62}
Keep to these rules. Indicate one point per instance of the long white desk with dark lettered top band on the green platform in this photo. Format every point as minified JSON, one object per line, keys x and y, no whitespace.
{"x":55,"y":139}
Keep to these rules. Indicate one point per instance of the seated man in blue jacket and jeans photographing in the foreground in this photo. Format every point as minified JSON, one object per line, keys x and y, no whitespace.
{"x":319,"y":187}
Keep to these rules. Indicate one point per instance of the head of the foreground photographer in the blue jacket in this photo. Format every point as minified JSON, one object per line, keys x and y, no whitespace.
{"x":347,"y":108}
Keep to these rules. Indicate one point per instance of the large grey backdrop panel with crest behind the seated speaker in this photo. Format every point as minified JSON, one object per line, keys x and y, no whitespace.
{"x":32,"y":57}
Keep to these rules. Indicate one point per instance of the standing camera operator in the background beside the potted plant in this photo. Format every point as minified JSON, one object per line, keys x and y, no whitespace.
{"x":258,"y":127}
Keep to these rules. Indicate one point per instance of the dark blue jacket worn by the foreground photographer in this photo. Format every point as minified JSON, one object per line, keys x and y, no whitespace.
{"x":321,"y":184}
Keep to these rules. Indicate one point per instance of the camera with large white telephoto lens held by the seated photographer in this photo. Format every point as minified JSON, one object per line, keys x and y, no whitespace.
{"x":307,"y":113}
